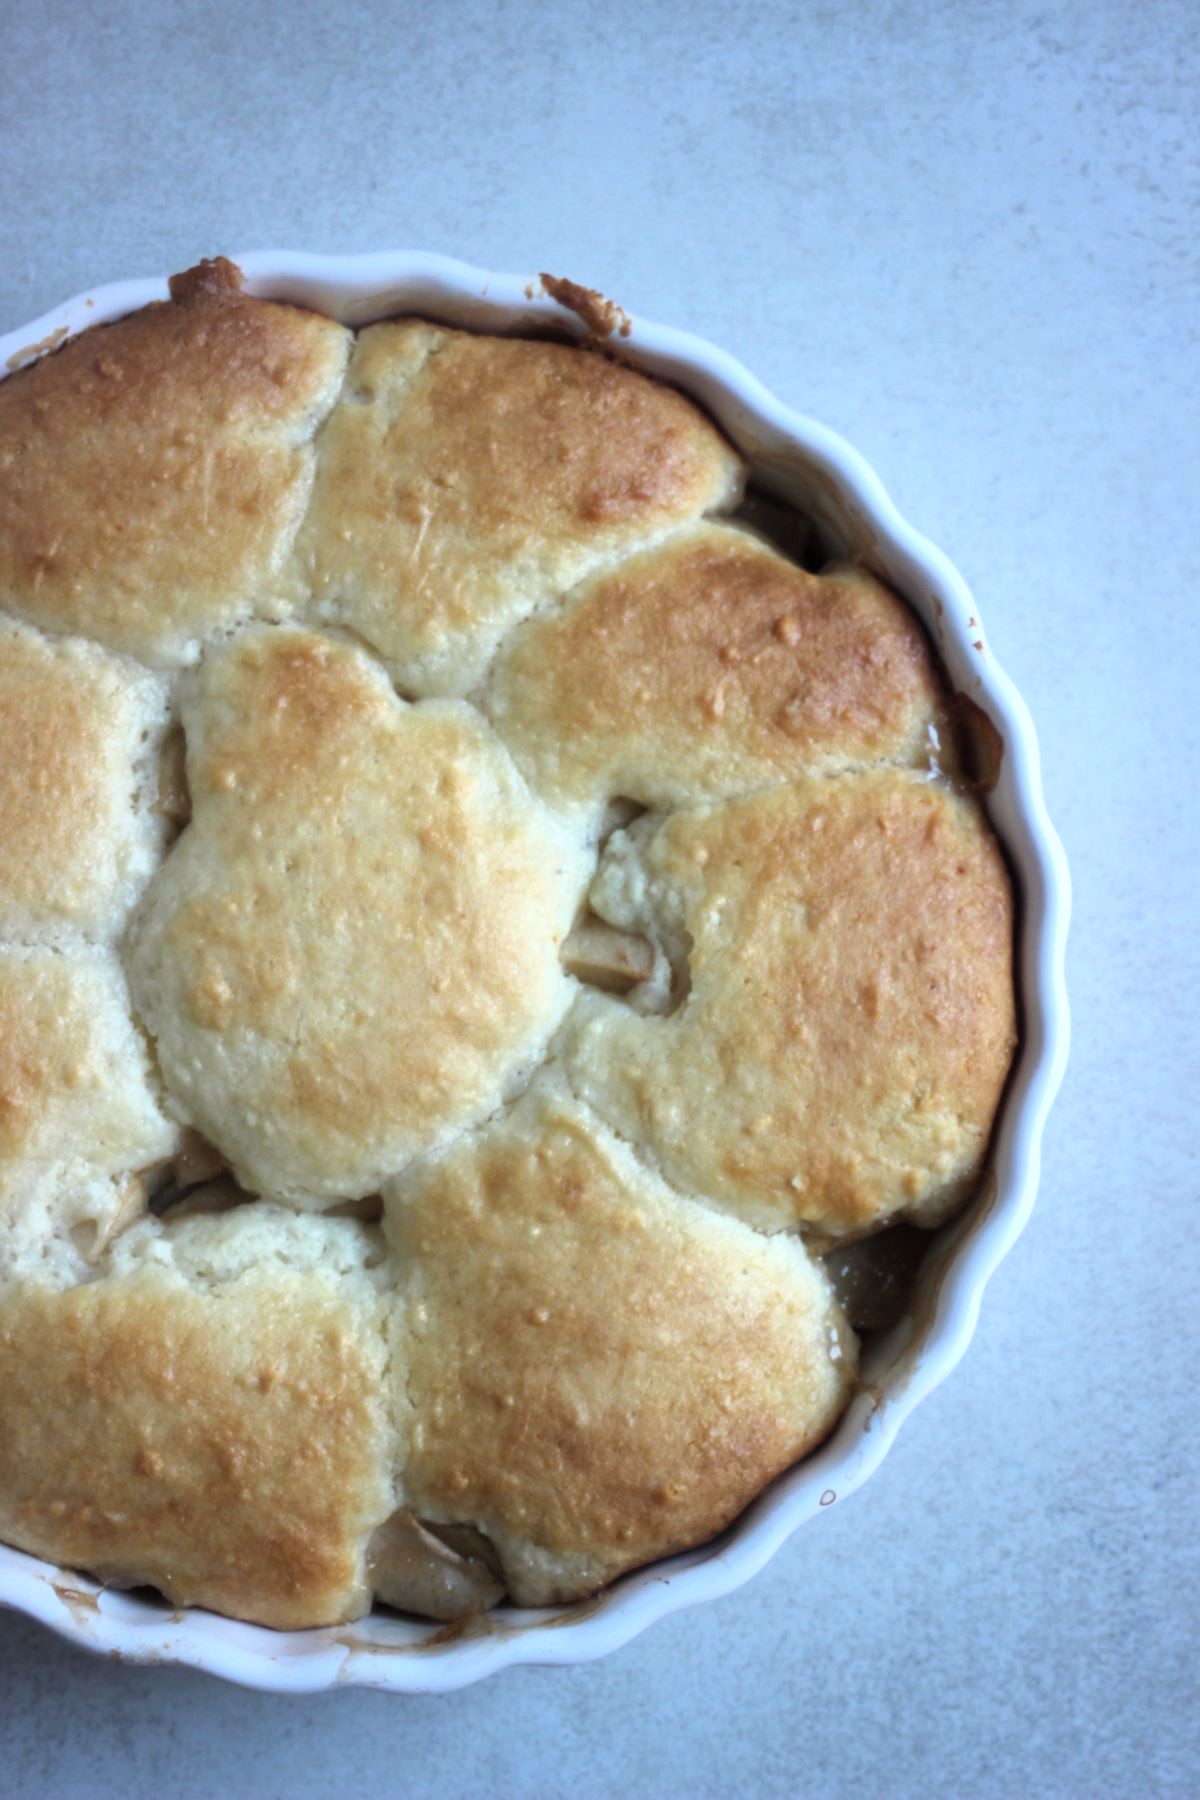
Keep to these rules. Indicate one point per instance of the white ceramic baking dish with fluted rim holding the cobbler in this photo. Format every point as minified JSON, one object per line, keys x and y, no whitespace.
{"x":828,"y":480}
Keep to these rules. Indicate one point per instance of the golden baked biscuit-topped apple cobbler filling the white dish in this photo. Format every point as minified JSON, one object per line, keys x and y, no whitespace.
{"x":481,"y":933}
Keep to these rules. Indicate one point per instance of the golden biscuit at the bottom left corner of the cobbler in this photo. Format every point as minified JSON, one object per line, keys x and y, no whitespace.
{"x":208,"y":1423}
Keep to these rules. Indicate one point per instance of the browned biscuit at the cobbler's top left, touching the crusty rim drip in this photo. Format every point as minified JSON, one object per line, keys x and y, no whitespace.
{"x":154,"y":472}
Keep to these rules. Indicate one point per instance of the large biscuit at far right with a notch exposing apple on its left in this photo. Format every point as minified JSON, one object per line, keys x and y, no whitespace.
{"x":850,"y":1021}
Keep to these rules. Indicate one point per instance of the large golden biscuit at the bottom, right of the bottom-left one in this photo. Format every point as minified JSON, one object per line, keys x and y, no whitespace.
{"x":600,"y":1371}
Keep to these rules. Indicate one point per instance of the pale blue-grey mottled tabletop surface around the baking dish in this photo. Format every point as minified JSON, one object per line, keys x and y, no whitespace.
{"x":965,"y":237}
